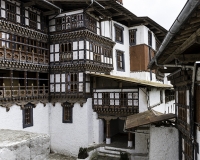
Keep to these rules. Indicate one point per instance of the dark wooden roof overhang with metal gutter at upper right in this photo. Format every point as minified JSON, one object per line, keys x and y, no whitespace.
{"x":182,"y":42}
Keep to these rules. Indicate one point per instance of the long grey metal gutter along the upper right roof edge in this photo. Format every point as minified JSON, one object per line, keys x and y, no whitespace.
{"x":186,"y":11}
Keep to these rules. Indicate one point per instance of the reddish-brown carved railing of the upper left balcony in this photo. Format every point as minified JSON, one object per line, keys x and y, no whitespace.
{"x":22,"y":56}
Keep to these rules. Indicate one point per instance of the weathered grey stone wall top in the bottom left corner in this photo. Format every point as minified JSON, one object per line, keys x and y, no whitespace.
{"x":23,"y":145}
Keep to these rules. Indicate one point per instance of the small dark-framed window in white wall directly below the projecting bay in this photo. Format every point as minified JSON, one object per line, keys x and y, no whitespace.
{"x":67,"y":112}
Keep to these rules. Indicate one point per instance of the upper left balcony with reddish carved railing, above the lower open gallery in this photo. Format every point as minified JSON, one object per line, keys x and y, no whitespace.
{"x":18,"y":49}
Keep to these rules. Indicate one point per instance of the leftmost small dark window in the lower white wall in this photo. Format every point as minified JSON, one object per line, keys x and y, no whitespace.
{"x":28,"y":115}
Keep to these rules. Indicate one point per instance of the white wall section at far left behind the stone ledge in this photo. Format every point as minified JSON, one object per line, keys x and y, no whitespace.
{"x":14,"y":120}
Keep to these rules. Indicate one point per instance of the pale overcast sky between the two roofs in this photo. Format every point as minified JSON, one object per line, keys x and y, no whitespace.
{"x":164,"y":12}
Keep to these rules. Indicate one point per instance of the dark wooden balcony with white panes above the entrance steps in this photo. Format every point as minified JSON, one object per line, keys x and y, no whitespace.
{"x":116,"y":103}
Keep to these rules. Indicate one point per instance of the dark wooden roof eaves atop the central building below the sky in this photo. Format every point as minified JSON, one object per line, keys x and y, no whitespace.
{"x":112,"y":10}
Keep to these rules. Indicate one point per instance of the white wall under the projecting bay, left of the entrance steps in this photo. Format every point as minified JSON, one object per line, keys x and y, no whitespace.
{"x":66,"y":138}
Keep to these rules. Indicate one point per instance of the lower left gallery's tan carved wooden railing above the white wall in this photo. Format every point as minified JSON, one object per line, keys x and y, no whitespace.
{"x":22,"y":91}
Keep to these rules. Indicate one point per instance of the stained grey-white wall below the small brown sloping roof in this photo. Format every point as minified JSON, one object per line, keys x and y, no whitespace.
{"x":163,"y":143}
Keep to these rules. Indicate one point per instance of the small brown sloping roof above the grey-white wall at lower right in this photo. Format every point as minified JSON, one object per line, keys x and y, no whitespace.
{"x":147,"y":117}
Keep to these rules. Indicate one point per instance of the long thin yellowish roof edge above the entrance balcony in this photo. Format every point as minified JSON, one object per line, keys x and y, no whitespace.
{"x":134,"y":80}
